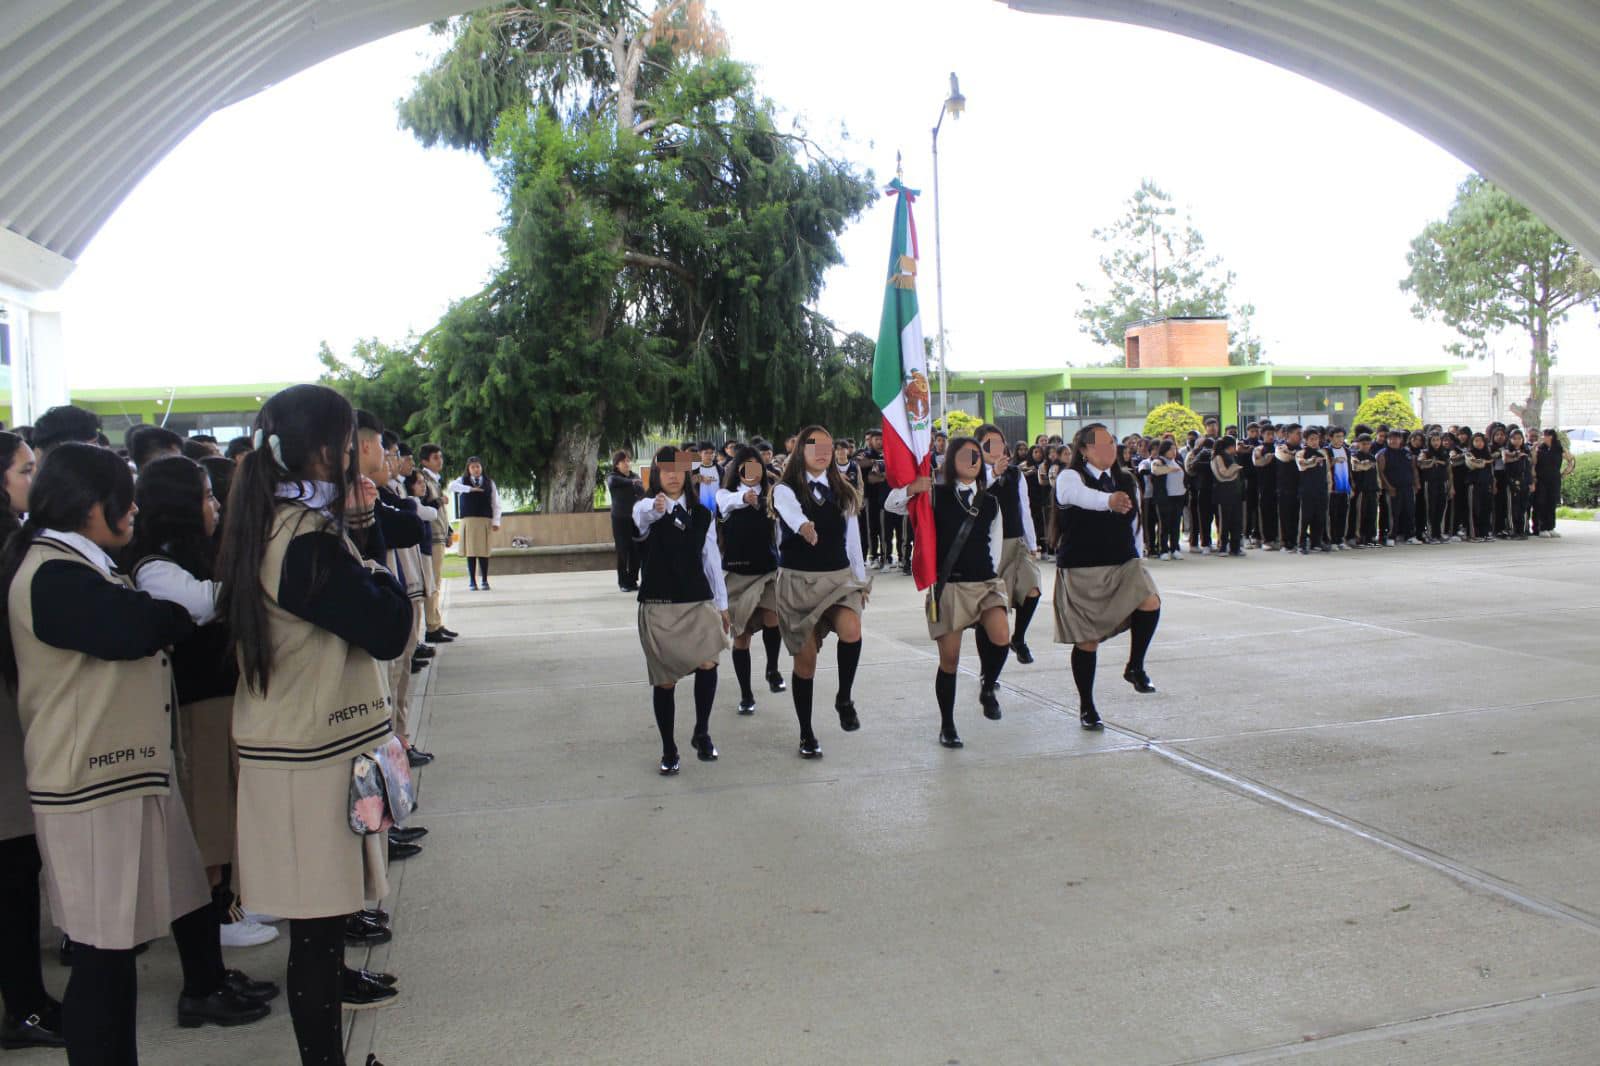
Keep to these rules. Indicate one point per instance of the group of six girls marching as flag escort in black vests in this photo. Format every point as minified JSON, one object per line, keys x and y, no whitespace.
{"x":780,"y":551}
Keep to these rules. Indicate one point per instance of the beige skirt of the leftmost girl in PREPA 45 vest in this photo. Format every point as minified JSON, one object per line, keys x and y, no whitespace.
{"x":118,"y":876}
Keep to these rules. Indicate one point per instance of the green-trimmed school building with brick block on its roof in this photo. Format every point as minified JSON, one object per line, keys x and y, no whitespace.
{"x":1177,"y":361}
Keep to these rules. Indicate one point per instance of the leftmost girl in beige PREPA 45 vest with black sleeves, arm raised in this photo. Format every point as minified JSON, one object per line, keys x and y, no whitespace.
{"x":89,"y":655}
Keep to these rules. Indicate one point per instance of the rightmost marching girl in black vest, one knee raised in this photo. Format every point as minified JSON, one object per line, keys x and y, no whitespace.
{"x":1102,"y":583}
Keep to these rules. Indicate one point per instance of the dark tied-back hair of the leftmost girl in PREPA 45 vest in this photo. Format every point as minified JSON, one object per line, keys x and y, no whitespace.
{"x":65,"y":491}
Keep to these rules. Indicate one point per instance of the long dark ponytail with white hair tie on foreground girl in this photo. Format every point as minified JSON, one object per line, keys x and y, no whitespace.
{"x":297,"y":431}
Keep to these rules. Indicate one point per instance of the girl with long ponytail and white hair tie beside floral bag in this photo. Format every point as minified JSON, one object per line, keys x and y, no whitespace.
{"x":314,"y":622}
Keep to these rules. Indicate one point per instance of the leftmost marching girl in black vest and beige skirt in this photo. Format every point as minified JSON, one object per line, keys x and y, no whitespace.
{"x":682,"y":601}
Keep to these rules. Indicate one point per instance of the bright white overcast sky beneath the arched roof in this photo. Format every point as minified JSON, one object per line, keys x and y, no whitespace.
{"x":306,"y":214}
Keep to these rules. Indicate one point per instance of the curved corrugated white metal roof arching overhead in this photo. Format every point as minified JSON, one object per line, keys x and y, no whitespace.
{"x":94,"y":94}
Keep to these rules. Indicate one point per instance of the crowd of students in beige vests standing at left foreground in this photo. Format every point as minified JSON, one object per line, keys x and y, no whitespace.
{"x":202,"y":646}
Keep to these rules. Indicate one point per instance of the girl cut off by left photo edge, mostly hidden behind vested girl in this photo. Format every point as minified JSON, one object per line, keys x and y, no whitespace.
{"x":31,"y":1017}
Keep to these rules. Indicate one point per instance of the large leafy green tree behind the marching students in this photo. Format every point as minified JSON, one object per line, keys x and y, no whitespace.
{"x":663,"y":239}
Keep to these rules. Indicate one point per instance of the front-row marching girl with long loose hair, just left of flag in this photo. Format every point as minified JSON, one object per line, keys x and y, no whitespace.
{"x":822,"y":575}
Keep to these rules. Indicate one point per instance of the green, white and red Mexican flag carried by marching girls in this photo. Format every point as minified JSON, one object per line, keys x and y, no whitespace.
{"x":900,"y":385}
